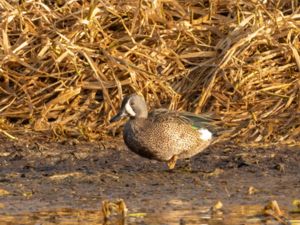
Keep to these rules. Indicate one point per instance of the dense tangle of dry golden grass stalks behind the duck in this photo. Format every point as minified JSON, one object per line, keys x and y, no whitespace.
{"x":65,"y":65}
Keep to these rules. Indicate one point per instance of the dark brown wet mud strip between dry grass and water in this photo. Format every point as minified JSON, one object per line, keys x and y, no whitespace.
{"x":40,"y":174}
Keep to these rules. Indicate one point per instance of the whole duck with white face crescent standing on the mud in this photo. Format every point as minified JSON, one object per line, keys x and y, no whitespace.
{"x":162,"y":135}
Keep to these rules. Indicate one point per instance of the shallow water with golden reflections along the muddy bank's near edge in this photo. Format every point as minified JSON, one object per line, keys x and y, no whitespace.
{"x":233,"y":215}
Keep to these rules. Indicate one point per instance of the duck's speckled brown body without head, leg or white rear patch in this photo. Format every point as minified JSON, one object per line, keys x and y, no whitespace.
{"x":163,"y":135}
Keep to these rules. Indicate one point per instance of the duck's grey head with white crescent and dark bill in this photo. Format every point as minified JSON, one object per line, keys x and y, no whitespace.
{"x":133,"y":106}
